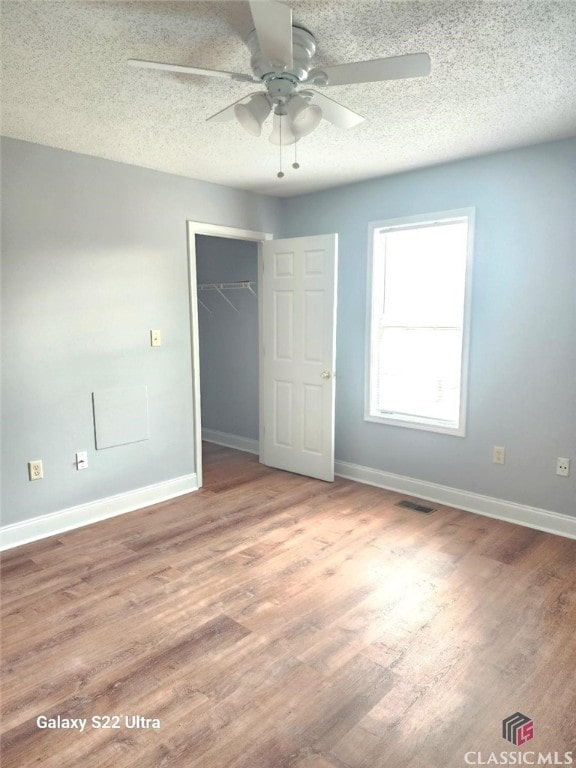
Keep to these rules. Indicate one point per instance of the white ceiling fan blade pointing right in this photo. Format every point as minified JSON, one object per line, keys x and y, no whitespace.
{"x":392,"y":68}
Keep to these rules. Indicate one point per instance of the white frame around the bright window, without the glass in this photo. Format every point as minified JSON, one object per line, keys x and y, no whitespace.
{"x":399,"y":419}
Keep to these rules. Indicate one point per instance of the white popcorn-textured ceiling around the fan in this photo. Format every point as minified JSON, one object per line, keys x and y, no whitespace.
{"x":503,"y":75}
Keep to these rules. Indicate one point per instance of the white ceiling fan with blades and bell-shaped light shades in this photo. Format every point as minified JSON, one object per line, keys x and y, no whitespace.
{"x":281,"y":61}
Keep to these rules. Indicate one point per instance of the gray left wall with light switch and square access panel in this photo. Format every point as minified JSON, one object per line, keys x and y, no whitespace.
{"x":94,"y":255}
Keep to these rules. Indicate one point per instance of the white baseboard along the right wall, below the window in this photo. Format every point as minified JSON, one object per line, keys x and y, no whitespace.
{"x":531,"y":517}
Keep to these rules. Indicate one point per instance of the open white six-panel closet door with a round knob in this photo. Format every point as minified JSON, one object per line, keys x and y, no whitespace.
{"x":298,"y":328}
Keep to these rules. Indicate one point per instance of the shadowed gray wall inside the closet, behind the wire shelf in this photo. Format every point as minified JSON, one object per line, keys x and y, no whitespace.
{"x":228,"y":339}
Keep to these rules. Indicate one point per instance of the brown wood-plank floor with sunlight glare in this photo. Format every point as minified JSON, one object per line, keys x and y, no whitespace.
{"x":274,"y":621}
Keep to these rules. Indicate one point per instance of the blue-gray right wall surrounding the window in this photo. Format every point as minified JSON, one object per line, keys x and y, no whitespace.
{"x":522,"y":382}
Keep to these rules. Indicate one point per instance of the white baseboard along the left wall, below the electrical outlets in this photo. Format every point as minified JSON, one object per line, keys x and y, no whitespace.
{"x":74,"y":517}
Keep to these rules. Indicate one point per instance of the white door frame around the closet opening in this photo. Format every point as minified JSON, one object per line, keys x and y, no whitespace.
{"x":194,"y":228}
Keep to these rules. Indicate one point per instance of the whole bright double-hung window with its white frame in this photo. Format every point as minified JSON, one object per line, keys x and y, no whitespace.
{"x":419,"y":308}
